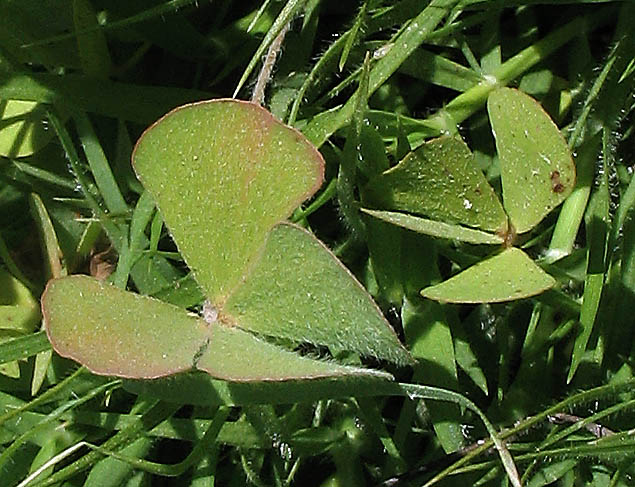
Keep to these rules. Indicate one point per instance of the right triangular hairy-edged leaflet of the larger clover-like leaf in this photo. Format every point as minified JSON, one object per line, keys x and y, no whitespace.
{"x":314,"y":299}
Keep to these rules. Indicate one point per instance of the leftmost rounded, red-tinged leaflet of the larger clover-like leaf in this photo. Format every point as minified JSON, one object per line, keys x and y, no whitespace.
{"x":115,"y":332}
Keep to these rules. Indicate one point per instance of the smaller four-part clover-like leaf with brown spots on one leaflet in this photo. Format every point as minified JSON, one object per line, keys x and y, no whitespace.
{"x":440,"y":181}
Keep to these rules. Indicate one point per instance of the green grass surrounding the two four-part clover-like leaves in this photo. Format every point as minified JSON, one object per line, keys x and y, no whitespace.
{"x":365,"y":81}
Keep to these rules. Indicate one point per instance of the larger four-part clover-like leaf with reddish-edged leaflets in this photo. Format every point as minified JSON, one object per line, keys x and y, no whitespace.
{"x":224,"y":175}
